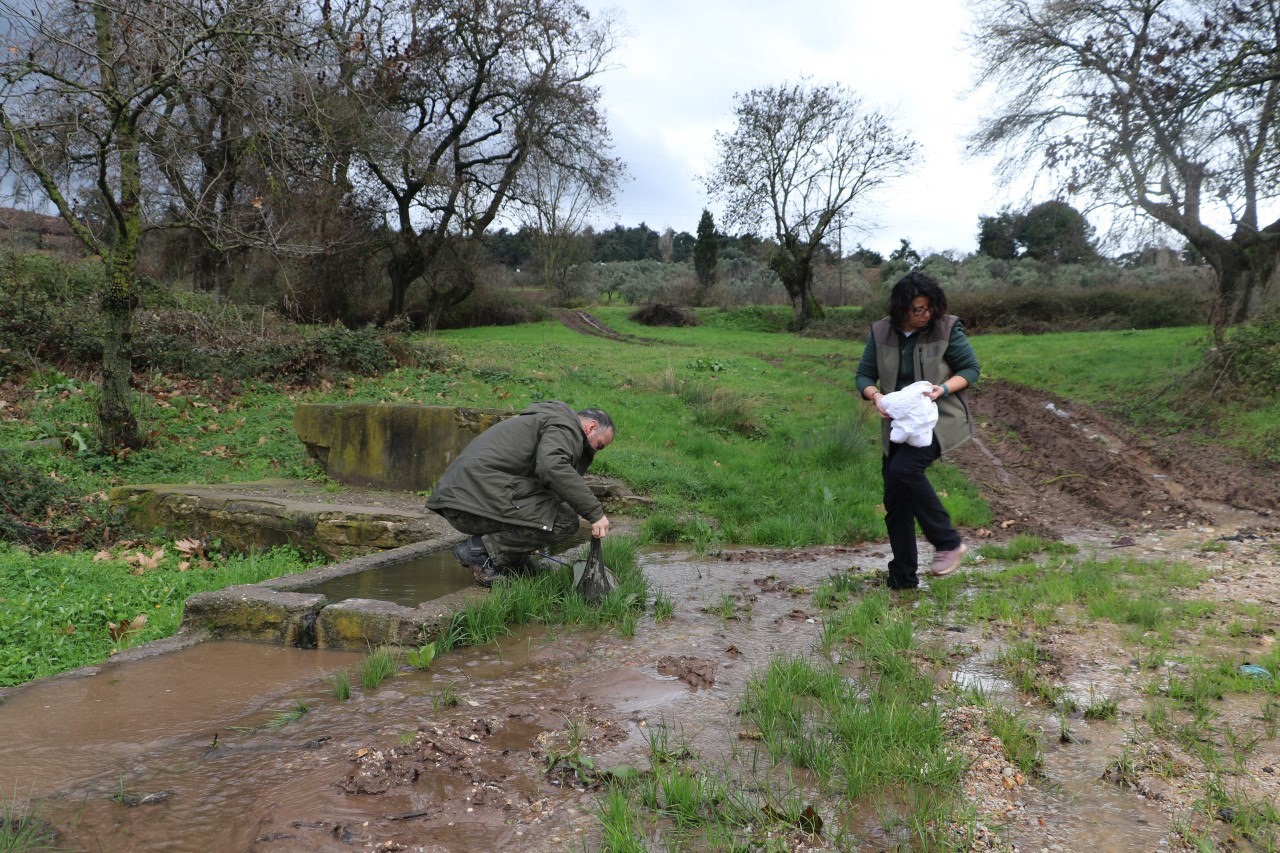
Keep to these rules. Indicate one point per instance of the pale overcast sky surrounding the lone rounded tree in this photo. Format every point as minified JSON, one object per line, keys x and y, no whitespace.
{"x":682,"y":62}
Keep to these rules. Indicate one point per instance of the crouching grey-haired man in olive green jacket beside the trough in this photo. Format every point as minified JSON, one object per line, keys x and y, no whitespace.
{"x":519,"y":487}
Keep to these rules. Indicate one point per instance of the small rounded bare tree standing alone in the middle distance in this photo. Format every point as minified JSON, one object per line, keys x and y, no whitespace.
{"x":802,"y":159}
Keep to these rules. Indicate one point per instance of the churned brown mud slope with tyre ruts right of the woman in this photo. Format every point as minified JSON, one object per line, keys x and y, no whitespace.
{"x":1048,"y":466}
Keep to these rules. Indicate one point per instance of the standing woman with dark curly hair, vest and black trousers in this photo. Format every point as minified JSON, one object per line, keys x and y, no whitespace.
{"x":920,"y":341}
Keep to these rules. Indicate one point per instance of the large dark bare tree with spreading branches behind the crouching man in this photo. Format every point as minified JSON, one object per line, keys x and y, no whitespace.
{"x":454,"y":98}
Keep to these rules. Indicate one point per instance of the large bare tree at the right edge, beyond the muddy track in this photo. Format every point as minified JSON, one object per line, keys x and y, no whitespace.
{"x":1165,"y":108}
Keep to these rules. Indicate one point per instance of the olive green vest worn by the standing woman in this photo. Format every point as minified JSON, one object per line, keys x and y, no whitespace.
{"x":954,"y":425}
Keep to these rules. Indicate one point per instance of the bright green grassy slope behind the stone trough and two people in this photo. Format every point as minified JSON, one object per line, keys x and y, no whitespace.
{"x":739,"y":436}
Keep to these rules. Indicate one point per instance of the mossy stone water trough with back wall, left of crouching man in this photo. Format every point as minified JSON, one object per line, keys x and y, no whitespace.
{"x":383,"y":460}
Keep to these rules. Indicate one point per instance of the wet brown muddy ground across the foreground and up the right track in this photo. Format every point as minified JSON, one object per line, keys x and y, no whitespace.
{"x":396,"y":769}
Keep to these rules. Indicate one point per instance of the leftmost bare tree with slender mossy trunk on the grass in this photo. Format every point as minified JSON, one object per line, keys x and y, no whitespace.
{"x":84,"y":88}
